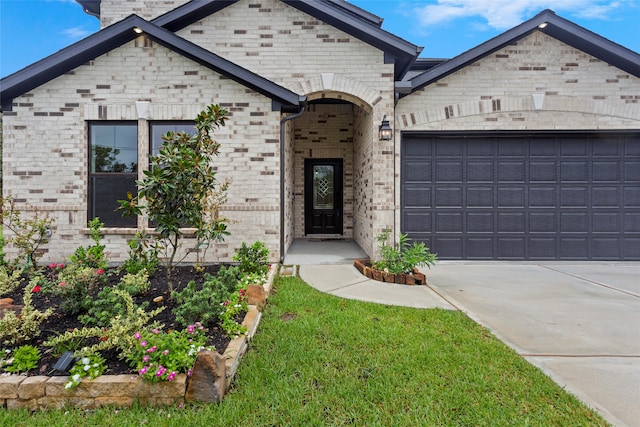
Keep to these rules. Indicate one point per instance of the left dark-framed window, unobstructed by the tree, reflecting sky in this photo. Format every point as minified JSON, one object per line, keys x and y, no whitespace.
{"x":113,"y":170}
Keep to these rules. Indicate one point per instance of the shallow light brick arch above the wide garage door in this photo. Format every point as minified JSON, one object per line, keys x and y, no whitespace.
{"x":524,"y":104}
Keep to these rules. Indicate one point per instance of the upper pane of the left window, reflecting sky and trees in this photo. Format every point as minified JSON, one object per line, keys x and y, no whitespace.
{"x":114,"y":148}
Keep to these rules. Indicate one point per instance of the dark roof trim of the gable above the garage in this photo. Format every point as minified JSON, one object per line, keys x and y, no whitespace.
{"x":549,"y":23}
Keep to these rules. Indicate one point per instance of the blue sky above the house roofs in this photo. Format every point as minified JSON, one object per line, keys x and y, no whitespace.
{"x":33,"y":29}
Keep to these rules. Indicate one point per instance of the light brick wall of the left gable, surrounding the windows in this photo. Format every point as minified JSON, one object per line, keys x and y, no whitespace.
{"x":46,"y":145}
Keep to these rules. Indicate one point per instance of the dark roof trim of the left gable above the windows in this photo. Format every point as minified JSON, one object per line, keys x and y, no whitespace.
{"x":116,"y":35}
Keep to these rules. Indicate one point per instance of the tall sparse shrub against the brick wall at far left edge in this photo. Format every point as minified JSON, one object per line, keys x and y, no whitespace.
{"x":29,"y":234}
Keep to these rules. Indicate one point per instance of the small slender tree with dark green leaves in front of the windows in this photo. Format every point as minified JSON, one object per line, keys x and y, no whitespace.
{"x":175,"y":190}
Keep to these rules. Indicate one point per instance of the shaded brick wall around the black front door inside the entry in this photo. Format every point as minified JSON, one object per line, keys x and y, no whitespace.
{"x":325,"y":131}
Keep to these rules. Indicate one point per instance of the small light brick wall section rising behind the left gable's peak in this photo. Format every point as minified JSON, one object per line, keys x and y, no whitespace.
{"x":112,"y":11}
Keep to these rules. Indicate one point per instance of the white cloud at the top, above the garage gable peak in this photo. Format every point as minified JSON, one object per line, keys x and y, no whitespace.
{"x":504,"y":14}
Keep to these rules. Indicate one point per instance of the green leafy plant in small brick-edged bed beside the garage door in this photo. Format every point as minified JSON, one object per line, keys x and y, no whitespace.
{"x":402,"y":257}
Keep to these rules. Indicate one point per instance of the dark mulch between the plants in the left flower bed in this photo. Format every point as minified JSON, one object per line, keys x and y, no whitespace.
{"x":61,"y":322}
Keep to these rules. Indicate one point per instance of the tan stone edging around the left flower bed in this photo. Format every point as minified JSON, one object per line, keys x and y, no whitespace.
{"x":43,"y":392}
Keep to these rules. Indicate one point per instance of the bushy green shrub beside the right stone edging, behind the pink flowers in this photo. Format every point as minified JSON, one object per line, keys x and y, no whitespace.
{"x":207,"y":304}
